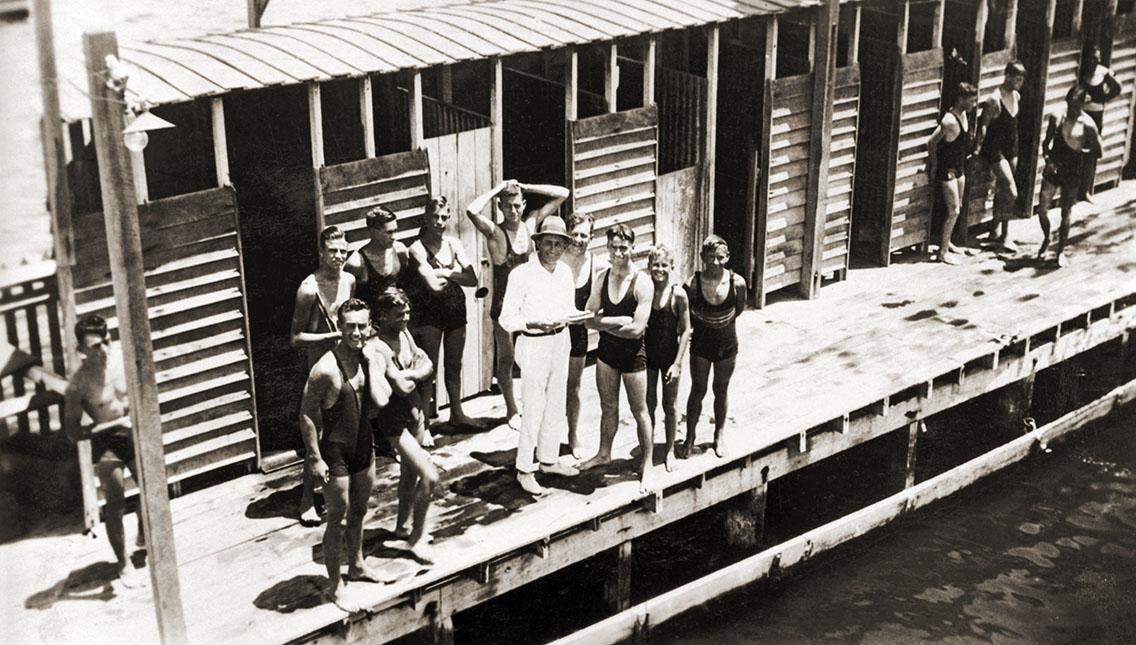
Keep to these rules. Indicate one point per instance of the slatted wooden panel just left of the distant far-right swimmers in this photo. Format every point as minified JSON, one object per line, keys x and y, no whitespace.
{"x":923,"y":74}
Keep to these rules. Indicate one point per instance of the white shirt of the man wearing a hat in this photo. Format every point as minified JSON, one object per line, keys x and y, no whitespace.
{"x":538,"y":295}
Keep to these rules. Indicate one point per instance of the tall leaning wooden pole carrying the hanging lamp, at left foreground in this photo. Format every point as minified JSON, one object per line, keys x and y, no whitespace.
{"x":124,"y":247}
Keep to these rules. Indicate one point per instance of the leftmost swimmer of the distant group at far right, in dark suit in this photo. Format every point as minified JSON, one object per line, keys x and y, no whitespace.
{"x":950,"y":146}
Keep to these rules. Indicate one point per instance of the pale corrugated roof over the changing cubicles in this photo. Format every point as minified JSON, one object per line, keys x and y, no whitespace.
{"x":182,"y":70}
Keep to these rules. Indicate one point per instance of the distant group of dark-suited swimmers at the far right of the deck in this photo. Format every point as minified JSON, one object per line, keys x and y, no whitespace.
{"x":1071,"y":149}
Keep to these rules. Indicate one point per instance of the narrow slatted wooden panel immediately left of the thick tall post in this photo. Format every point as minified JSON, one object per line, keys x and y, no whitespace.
{"x":788,"y":169}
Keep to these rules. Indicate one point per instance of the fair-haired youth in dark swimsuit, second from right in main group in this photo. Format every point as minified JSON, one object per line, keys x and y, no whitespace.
{"x":669,"y":333}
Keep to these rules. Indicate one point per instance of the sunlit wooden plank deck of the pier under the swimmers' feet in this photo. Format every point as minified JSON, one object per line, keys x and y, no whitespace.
{"x":874,"y":355}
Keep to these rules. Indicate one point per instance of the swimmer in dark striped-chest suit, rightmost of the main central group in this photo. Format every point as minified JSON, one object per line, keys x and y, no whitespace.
{"x":717,"y":298}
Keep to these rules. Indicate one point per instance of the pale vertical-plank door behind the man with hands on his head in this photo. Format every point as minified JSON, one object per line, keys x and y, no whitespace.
{"x":461,"y":170}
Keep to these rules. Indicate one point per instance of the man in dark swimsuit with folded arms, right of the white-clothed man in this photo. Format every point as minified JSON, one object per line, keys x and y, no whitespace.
{"x":622,"y":303}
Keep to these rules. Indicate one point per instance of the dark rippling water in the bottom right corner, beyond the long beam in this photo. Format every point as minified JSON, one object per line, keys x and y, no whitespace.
{"x":1045,"y":552}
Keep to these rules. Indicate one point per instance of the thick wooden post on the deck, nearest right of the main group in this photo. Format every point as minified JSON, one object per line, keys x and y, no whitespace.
{"x":821,"y":133}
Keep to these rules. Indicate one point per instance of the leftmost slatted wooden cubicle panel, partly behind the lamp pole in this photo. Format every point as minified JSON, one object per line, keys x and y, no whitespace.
{"x":196,"y":295}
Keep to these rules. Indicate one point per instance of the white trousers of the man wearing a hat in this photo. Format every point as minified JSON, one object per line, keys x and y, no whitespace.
{"x":544,"y":364}
